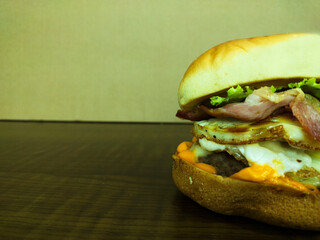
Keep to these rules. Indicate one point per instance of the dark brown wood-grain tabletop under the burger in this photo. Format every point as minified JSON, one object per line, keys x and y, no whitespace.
{"x":105,"y":181}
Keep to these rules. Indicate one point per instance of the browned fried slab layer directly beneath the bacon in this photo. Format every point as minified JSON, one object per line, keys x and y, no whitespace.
{"x":236,"y":132}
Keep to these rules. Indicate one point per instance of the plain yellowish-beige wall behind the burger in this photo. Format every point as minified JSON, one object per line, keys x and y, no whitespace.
{"x":121,"y":60}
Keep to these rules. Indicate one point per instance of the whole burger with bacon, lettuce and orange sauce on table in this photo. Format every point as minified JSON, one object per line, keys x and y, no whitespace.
{"x":255,"y":151}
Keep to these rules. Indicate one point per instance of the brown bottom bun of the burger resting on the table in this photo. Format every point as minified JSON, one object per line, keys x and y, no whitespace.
{"x":271,"y":204}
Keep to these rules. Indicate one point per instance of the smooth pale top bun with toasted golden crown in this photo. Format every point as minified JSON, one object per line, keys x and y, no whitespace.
{"x":249,"y":61}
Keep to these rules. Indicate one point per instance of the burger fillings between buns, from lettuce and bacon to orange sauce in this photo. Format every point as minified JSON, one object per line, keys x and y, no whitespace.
{"x":269,"y":134}
